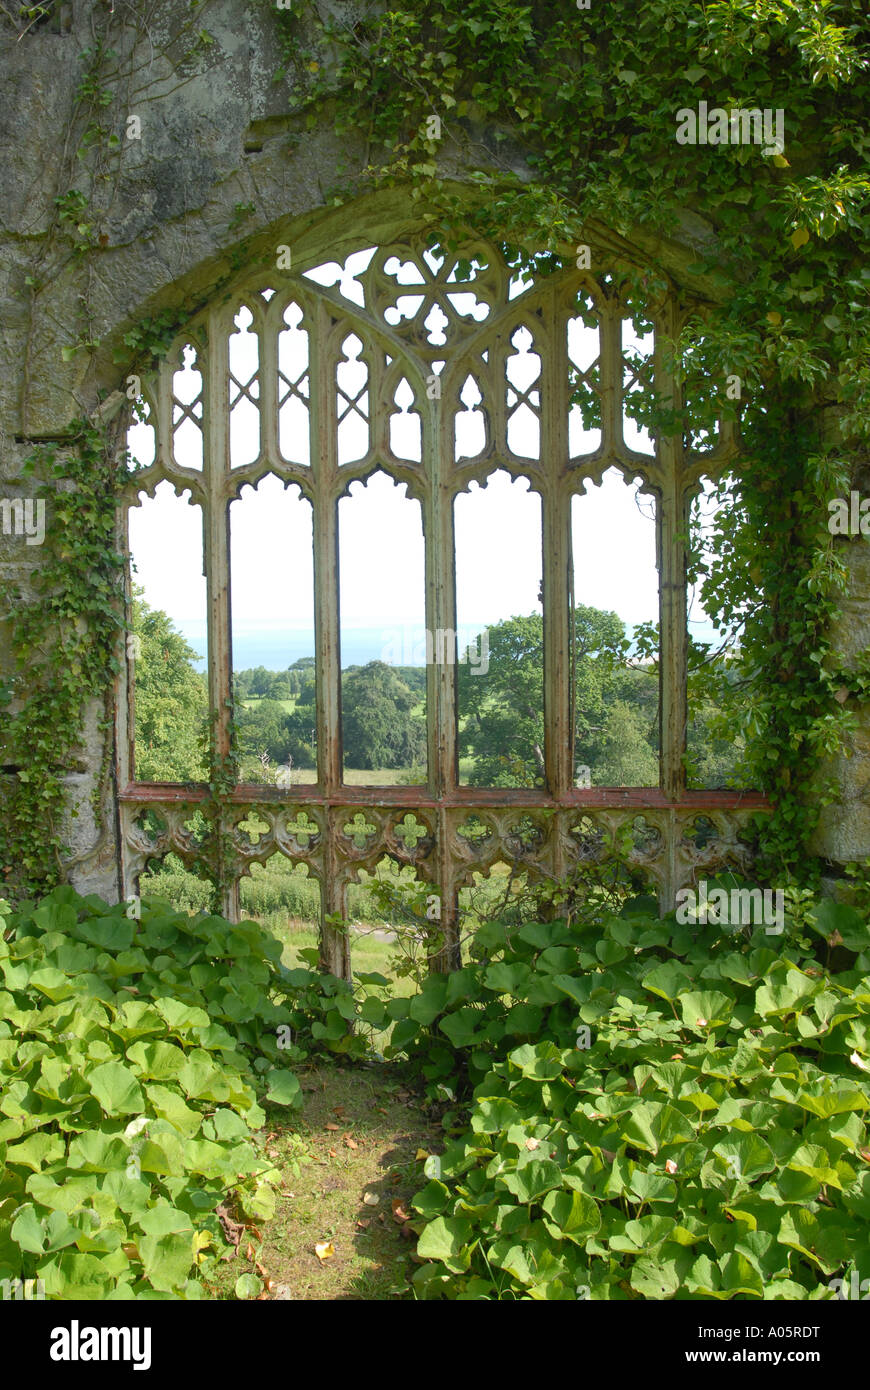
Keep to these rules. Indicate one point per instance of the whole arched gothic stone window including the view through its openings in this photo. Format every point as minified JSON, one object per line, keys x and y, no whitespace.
{"x":434,"y":433}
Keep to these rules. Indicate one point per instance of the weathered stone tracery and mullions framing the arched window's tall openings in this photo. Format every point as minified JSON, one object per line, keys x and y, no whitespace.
{"x":434,"y":373}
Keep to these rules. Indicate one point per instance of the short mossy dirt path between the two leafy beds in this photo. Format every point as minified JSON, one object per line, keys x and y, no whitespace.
{"x":351,"y":1168}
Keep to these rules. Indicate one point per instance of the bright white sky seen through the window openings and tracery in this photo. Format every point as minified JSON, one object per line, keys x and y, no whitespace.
{"x":381,"y":557}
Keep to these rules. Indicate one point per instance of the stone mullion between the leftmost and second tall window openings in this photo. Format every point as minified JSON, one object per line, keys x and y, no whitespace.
{"x":216,"y":548}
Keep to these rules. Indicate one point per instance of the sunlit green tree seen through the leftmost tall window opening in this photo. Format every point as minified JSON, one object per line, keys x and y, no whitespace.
{"x":172,"y":701}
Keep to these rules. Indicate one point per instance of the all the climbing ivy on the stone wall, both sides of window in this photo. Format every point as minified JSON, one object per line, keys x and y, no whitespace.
{"x":565,"y":119}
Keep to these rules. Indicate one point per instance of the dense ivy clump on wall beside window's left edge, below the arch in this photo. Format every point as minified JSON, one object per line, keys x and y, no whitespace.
{"x":63,"y":643}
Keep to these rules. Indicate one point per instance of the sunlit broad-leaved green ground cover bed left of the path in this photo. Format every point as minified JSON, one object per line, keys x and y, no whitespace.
{"x":138,"y":1064}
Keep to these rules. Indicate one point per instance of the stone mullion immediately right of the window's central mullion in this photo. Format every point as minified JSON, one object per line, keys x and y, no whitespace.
{"x":557,"y":519}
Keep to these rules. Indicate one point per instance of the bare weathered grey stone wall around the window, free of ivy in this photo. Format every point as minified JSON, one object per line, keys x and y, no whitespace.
{"x":224,"y":172}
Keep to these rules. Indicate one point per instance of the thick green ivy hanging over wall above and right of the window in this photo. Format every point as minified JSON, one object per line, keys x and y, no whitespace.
{"x":587,"y":101}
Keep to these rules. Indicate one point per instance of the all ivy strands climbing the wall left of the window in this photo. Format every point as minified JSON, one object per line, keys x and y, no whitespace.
{"x":65,"y":633}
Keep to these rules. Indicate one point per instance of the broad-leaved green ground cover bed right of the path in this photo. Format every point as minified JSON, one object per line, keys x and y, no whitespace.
{"x":658,"y":1111}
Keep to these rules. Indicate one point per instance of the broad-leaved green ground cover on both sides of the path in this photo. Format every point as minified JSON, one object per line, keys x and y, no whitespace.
{"x":633,"y":1109}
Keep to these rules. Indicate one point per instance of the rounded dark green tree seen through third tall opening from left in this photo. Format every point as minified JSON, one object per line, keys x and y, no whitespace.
{"x":377,"y":722}
